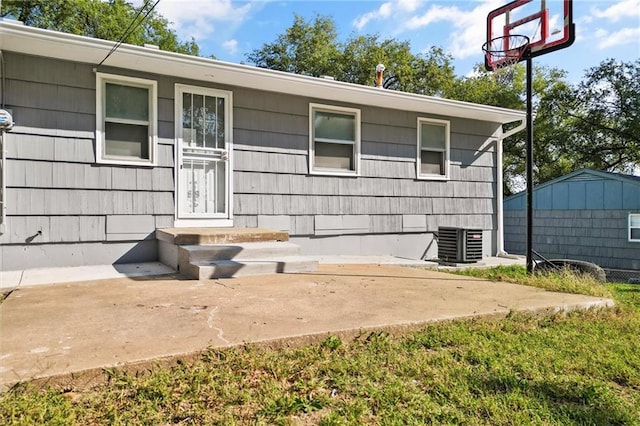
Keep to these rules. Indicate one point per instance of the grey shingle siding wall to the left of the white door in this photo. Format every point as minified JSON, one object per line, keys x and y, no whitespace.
{"x":62,"y":207}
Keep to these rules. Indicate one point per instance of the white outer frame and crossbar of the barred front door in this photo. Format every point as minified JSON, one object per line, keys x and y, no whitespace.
{"x":216,"y":220}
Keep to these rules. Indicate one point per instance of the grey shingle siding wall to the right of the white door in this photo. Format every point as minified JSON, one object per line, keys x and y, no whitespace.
{"x":271,"y":177}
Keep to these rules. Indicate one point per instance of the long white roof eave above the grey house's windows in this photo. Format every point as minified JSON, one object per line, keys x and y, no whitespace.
{"x":34,"y":41}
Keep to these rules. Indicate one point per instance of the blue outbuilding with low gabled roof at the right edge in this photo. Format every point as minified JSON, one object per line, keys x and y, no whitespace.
{"x":586,"y":215}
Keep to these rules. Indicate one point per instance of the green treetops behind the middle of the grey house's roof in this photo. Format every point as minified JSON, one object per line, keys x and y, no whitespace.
{"x":312,"y":48}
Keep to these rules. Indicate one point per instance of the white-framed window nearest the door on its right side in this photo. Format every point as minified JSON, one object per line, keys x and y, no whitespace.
{"x":334,"y":142}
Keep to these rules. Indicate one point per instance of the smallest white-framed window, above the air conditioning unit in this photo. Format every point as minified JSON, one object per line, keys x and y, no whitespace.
{"x":433,"y":149}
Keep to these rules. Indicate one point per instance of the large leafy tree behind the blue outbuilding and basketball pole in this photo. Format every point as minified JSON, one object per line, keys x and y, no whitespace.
{"x":594,"y":124}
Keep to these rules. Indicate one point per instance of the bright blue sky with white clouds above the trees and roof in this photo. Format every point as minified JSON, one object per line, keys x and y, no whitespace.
{"x":230,"y":30}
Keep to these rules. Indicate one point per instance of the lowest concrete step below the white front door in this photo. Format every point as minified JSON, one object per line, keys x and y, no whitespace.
{"x":204,"y":270}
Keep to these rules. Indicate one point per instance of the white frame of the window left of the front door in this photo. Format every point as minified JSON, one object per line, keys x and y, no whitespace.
{"x":101,"y":80}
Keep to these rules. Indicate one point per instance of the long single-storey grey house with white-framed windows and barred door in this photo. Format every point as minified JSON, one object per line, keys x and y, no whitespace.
{"x":104,"y":152}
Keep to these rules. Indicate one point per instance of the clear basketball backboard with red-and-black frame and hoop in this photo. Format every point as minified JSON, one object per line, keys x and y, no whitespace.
{"x":547,"y":23}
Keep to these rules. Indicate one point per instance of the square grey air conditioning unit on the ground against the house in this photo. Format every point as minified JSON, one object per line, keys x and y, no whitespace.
{"x":459,"y":245}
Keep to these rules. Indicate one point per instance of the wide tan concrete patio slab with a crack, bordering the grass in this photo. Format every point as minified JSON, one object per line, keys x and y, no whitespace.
{"x":72,"y":331}
